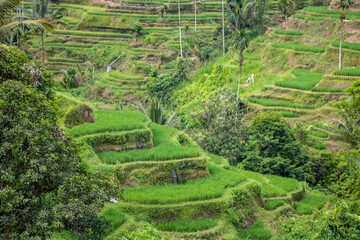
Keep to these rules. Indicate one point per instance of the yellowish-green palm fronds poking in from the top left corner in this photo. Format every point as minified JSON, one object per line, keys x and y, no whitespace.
{"x":6,"y":6}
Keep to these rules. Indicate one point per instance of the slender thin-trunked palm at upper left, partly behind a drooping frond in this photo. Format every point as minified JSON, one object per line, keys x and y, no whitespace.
{"x":40,"y":10}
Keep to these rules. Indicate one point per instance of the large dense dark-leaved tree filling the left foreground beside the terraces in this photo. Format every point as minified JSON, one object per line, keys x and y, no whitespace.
{"x":44,"y":185}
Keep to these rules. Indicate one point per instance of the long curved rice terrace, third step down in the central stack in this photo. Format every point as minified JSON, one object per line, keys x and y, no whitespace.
{"x":199,"y":189}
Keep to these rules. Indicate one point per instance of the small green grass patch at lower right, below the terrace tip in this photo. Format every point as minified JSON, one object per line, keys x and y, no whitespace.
{"x":310,"y":204}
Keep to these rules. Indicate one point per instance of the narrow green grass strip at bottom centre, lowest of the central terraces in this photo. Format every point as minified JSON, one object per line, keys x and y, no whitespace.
{"x":186,"y":225}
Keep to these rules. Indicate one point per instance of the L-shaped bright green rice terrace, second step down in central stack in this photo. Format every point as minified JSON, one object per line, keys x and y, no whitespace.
{"x":166,"y":147}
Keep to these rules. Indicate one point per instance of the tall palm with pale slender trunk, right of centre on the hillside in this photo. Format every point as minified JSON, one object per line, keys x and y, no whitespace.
{"x":240,"y":18}
